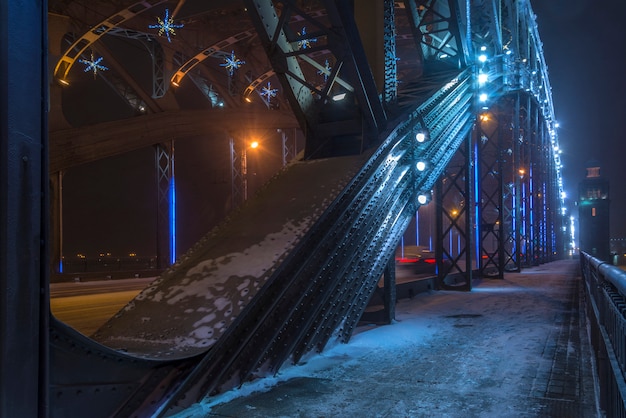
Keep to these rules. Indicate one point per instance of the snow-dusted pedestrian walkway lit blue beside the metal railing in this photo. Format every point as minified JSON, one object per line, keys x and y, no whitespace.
{"x":516,"y":347}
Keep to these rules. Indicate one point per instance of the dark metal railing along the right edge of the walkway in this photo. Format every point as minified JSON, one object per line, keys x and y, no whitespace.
{"x":605,"y":287}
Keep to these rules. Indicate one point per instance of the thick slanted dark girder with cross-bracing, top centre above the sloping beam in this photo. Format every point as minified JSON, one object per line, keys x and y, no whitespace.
{"x":312,"y":103}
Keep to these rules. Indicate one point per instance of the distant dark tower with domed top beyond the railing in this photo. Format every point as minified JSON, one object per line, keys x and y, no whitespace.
{"x":593,"y":213}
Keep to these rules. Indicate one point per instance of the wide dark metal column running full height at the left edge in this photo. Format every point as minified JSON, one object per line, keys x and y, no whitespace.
{"x":24,"y":210}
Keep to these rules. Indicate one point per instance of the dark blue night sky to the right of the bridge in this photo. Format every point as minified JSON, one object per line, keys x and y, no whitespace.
{"x":585,"y":48}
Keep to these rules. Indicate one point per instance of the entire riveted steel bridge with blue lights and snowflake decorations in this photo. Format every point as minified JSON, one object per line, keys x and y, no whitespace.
{"x":400,"y":103}
